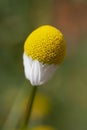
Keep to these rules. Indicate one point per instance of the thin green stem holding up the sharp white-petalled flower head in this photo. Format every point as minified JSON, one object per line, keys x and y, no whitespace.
{"x":29,"y":108}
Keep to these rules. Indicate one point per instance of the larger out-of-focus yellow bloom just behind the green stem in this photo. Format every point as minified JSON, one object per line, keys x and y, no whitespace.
{"x":41,"y":106}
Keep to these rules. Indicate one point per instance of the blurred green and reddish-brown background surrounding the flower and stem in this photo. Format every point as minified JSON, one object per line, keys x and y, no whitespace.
{"x":62,"y":102}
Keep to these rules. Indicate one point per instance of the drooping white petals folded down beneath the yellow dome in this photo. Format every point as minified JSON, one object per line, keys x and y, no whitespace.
{"x":37,"y":72}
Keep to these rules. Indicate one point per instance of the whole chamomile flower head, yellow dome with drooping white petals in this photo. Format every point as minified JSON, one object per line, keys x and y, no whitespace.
{"x":44,"y":51}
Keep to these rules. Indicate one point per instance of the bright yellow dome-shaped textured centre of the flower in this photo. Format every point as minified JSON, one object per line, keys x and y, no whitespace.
{"x":46,"y":44}
